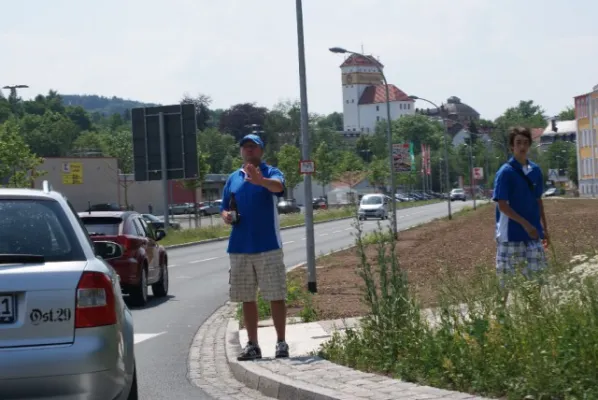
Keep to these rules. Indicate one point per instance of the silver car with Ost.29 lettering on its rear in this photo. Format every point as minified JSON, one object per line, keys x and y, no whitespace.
{"x":65,"y":331}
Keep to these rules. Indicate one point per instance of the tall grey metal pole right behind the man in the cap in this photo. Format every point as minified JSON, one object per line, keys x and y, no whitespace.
{"x":309,"y":216}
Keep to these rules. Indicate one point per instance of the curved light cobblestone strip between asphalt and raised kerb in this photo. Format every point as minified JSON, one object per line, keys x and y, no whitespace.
{"x":207,"y":364}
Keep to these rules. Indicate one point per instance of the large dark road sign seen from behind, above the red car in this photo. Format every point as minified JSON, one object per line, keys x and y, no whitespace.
{"x":180,"y":142}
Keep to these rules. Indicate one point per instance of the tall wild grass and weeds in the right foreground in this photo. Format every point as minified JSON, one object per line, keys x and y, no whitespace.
{"x":541,"y":344}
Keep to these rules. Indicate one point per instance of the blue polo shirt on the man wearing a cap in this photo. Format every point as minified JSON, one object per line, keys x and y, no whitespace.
{"x":259,"y":228}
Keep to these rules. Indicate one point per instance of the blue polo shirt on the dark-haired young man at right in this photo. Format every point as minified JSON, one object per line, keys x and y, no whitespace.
{"x":509,"y":185}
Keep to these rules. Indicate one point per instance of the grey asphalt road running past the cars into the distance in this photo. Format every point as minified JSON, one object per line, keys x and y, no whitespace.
{"x":199,"y":285}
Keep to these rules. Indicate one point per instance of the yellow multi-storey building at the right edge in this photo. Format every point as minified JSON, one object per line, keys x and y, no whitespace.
{"x":586,"y":114}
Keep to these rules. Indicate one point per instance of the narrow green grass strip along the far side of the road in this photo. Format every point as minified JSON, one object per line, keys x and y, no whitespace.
{"x":182,"y":236}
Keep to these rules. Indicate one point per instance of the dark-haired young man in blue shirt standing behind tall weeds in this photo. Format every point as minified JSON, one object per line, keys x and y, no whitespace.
{"x":520,"y":218}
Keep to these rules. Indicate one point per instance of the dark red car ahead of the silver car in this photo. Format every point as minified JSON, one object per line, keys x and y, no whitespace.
{"x":144,"y":262}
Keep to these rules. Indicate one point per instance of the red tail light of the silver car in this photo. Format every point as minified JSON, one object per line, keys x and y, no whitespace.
{"x":95,"y":301}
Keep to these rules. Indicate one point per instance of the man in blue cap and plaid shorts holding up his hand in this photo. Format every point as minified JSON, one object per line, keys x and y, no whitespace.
{"x":255,"y":245}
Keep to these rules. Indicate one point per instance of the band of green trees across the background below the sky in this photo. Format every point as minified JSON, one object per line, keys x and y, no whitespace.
{"x":47,"y":126}
